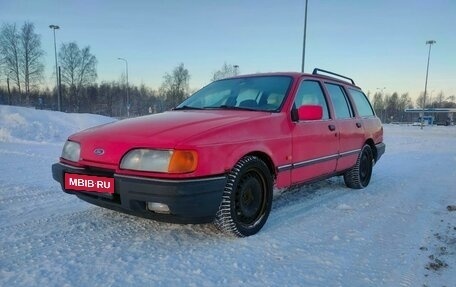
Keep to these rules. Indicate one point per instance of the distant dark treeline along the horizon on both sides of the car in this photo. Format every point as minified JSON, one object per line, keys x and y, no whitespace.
{"x":109,"y":98}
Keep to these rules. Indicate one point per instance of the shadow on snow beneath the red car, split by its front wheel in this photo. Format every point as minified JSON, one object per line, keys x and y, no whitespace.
{"x":287,"y":204}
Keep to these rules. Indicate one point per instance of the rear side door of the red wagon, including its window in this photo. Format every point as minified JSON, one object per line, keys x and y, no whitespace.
{"x":349,"y":128}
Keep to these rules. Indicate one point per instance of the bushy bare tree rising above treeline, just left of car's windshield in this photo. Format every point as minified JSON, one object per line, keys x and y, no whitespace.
{"x":176,"y":85}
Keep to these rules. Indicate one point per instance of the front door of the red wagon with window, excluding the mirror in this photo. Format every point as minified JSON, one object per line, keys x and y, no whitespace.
{"x":314,"y":143}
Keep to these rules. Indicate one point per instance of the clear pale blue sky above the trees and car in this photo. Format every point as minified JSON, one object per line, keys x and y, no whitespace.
{"x":377,"y":43}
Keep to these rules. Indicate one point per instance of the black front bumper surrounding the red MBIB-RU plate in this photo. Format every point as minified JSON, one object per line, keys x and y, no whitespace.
{"x":189,"y":201}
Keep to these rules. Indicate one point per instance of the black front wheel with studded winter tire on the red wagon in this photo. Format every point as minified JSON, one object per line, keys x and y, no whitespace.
{"x":247,"y":198}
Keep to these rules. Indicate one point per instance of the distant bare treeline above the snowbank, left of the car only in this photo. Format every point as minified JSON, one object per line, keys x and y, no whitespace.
{"x":107,"y":98}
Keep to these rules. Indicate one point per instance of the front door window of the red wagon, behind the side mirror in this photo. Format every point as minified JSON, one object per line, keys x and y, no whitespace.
{"x":310,"y":93}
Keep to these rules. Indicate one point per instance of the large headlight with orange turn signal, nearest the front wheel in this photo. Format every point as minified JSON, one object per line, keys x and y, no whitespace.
{"x":171,"y":161}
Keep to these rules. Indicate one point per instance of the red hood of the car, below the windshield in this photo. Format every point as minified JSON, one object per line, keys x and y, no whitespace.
{"x":161,"y":131}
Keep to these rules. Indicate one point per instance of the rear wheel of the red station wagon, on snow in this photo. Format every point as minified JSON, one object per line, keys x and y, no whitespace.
{"x":359,"y":176}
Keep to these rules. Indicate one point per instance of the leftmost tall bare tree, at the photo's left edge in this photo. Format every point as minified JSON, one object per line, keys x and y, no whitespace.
{"x":10,"y":50}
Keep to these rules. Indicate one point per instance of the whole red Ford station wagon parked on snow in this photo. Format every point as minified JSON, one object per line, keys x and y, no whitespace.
{"x":217,"y":156}
